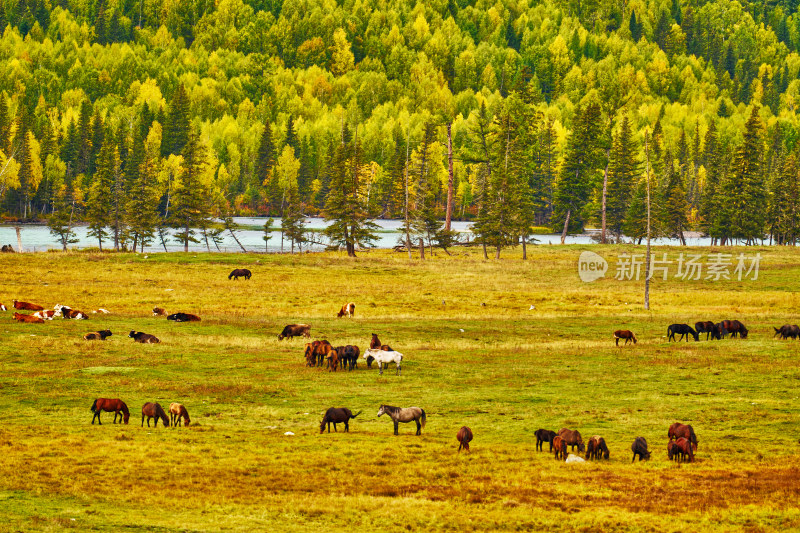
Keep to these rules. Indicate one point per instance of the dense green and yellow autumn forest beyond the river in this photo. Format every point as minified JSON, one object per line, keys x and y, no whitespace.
{"x":134,"y":116}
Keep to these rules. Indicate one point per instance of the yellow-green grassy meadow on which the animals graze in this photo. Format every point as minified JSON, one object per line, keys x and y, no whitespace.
{"x":501,"y":368}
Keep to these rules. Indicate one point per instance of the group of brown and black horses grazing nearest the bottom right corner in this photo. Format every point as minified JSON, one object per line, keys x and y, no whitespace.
{"x":681,"y":445}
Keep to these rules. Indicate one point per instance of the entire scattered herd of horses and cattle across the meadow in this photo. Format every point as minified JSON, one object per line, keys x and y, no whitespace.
{"x":681,"y":445}
